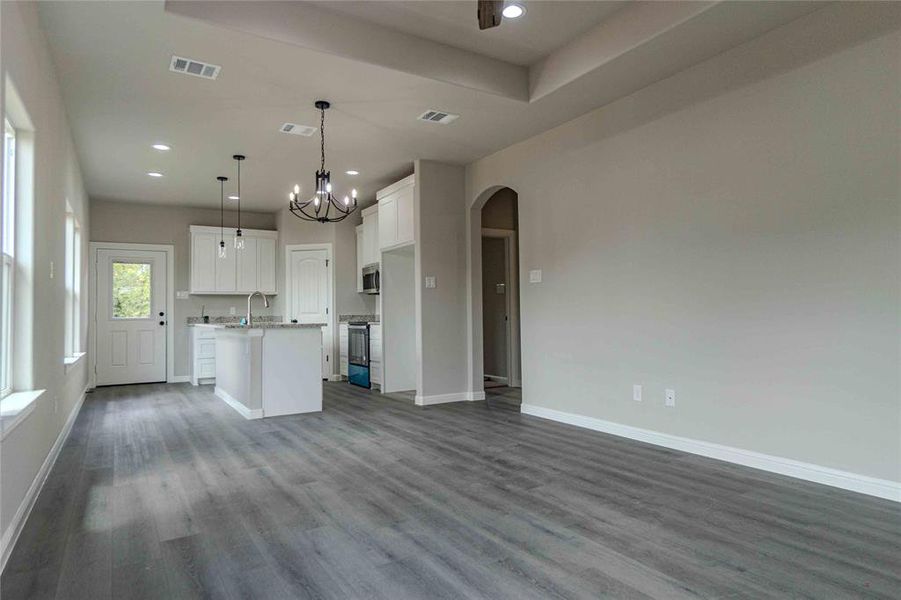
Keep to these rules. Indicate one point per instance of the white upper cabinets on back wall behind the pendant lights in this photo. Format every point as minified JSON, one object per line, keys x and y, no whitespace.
{"x":241,"y":271}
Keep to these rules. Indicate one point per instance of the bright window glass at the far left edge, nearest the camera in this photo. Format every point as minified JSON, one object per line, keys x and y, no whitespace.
{"x":7,"y":241}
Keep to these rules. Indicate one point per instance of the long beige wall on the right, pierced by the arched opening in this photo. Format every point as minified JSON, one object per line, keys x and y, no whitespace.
{"x":731,"y":232}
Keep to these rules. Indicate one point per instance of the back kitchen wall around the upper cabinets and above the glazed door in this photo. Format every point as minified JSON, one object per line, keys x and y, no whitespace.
{"x":155,"y":224}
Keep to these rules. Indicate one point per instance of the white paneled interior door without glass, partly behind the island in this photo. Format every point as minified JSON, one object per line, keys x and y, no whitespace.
{"x":311,"y":296}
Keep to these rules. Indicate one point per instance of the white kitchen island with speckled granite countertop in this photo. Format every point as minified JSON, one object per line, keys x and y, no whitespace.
{"x":269,"y":369}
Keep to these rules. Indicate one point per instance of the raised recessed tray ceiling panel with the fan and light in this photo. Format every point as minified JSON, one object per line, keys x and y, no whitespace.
{"x":547,"y":25}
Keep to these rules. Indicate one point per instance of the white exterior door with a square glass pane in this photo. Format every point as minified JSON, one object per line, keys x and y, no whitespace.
{"x":131,"y":317}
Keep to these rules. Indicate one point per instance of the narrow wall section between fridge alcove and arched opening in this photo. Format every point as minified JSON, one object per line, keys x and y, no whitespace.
{"x":440,"y":253}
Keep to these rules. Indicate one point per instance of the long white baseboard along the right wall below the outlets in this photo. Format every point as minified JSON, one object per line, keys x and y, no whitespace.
{"x":872,"y":486}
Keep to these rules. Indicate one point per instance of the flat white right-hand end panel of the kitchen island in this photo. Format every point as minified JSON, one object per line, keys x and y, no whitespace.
{"x":292,"y":371}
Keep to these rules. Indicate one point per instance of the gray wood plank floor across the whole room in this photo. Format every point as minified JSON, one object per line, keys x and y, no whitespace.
{"x":162,"y":491}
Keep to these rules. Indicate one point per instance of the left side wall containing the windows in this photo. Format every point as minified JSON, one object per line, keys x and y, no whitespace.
{"x":25,"y":60}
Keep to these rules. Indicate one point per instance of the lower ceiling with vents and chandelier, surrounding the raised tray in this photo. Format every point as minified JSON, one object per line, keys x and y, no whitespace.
{"x":112,"y":59}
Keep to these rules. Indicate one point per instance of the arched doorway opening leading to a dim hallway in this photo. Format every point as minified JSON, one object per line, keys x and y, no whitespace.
{"x":495,"y":298}
